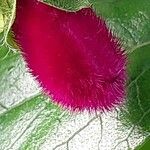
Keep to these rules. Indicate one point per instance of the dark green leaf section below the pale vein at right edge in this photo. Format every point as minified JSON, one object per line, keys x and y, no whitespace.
{"x":138,"y":99}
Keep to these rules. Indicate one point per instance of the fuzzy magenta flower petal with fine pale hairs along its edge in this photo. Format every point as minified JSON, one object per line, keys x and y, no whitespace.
{"x":73,"y":55}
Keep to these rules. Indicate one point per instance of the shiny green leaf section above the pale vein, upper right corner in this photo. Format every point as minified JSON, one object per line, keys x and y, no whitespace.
{"x":128,"y":19}
